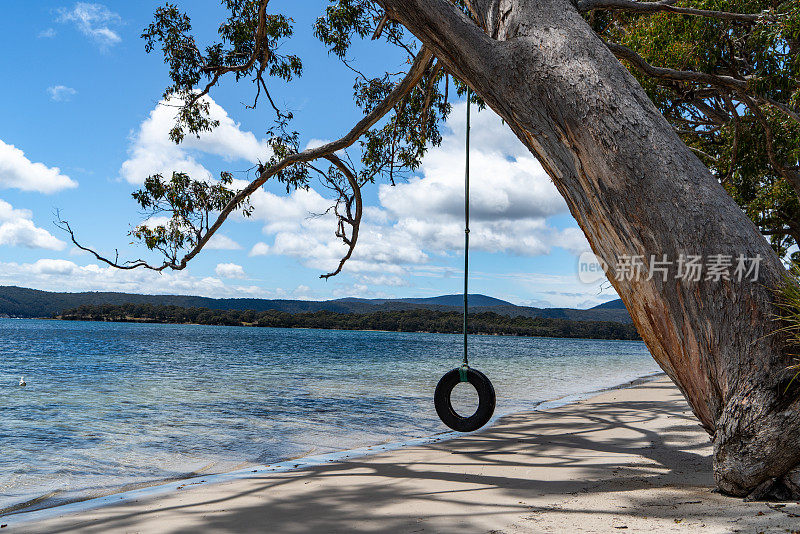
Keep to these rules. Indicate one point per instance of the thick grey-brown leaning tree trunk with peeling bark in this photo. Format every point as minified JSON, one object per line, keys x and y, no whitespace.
{"x":636,"y":189}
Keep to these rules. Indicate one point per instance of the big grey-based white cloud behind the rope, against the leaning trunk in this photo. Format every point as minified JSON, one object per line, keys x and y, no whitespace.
{"x":510,"y":194}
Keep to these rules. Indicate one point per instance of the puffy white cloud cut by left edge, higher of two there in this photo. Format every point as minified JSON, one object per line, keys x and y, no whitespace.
{"x":19,"y":172}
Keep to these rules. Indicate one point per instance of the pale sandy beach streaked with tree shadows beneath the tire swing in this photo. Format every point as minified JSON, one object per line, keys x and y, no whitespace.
{"x":630,"y":459}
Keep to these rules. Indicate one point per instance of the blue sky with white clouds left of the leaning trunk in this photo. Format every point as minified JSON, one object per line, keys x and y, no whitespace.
{"x":84,"y":125}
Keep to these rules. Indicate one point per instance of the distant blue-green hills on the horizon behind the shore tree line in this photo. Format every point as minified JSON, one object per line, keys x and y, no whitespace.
{"x":24,"y":302}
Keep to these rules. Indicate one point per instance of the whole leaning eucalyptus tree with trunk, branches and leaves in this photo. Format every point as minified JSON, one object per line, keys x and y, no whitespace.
{"x":622,"y":102}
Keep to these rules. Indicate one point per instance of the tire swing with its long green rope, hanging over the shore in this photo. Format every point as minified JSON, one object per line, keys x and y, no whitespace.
{"x":486,"y":396}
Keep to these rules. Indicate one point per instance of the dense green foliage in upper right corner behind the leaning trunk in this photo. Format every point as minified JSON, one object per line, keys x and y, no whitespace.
{"x":734,"y":119}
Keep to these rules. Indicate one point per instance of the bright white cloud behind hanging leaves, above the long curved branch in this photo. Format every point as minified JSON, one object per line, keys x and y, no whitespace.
{"x":153,"y":152}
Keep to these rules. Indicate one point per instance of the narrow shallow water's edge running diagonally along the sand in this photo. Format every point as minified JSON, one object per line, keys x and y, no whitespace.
{"x":16,"y":514}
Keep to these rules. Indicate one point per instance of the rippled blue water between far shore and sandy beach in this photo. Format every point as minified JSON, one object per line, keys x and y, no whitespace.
{"x":113,"y":404}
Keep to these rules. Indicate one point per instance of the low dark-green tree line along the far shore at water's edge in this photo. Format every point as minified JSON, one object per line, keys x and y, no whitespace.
{"x":419,"y":320}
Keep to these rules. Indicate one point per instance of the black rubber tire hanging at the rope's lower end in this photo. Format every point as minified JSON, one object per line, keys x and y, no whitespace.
{"x":444,"y":406}
